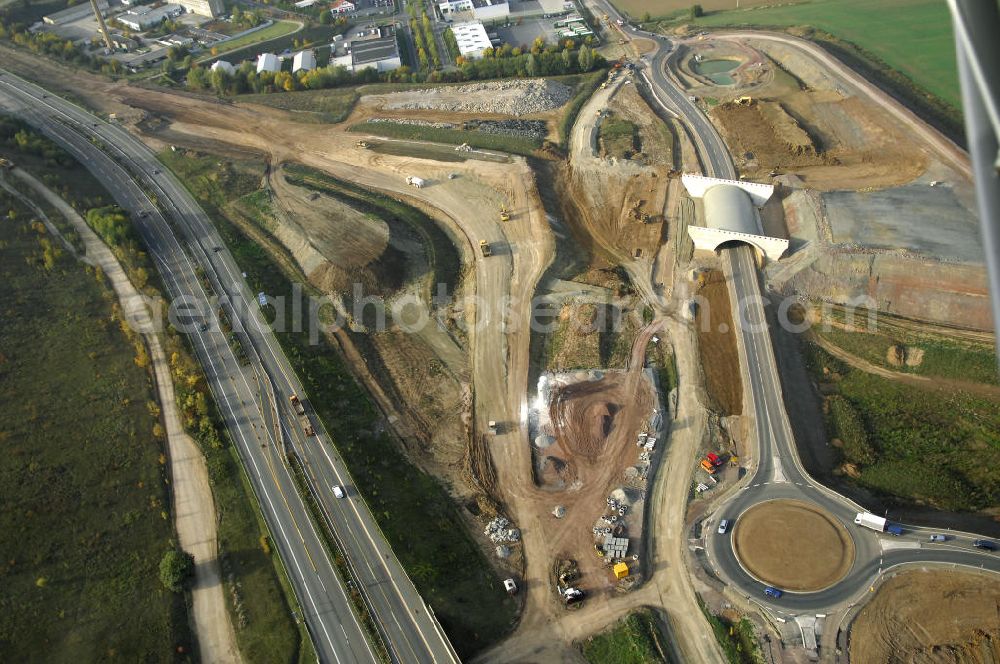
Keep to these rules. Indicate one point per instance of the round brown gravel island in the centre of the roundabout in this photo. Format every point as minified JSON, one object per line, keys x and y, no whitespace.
{"x":771,"y":544}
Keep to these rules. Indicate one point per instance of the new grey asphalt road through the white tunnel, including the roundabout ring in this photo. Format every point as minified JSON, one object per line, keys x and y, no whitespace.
{"x":778,"y":473}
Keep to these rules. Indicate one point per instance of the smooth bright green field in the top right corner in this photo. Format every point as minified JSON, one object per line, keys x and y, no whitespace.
{"x":911,"y":36}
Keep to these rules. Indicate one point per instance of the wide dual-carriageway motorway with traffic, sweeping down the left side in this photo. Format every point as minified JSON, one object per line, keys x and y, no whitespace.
{"x":405,"y":622}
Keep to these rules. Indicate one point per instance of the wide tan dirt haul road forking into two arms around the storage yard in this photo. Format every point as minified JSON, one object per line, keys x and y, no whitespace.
{"x":500,"y":317}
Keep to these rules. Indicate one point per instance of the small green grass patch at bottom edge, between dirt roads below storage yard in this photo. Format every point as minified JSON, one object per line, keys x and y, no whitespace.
{"x":635,"y":639}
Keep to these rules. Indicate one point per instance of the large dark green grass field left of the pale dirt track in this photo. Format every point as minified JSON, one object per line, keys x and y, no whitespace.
{"x":86,"y":512}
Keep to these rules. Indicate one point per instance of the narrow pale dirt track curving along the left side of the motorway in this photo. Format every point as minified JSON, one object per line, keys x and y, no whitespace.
{"x":193,"y":504}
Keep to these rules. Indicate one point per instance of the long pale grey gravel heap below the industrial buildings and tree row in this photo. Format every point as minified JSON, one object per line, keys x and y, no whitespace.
{"x":501,"y":97}
